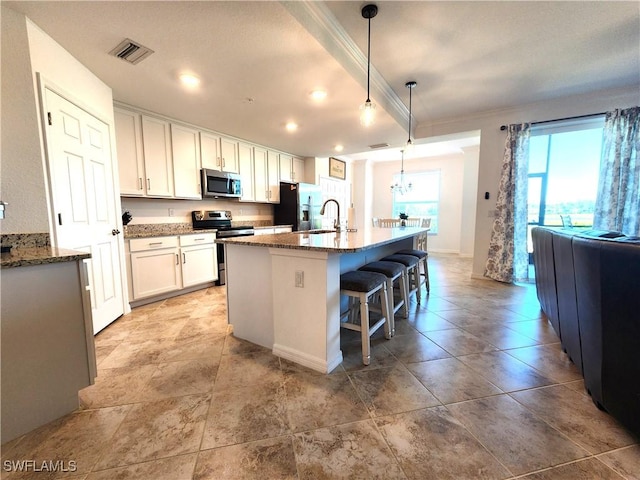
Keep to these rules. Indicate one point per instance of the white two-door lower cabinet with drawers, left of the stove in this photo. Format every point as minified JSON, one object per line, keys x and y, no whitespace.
{"x":161,"y":265}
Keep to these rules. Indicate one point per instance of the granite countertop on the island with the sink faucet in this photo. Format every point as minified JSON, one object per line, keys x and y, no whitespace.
{"x":329,"y":241}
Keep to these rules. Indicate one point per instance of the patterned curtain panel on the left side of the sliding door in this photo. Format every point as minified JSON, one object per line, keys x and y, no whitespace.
{"x":508,"y":259}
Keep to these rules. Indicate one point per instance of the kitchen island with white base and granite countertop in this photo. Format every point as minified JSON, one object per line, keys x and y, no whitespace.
{"x":283,"y":290}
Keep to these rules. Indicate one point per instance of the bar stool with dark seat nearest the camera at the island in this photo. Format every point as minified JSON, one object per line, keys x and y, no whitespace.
{"x":359,"y":286}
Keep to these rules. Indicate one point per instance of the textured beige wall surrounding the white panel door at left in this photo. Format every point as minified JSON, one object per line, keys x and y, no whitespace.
{"x":26,"y":52}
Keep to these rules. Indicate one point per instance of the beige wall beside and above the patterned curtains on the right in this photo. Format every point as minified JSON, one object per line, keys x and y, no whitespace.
{"x":492,"y":145}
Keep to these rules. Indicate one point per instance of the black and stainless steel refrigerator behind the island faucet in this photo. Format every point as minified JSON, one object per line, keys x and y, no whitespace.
{"x":299,"y":206}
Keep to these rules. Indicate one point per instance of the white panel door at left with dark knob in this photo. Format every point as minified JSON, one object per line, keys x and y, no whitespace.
{"x":84,"y":205}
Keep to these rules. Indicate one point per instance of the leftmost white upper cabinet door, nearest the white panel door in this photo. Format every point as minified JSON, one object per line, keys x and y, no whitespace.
{"x":129,"y":148}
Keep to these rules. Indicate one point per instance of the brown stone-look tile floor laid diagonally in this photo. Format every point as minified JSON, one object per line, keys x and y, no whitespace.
{"x":473,"y":385}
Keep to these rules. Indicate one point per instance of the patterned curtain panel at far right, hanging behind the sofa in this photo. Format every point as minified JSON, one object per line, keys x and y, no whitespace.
{"x":618,"y":199}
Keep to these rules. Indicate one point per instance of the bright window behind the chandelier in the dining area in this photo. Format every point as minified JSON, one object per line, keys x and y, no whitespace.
{"x":422,"y":200}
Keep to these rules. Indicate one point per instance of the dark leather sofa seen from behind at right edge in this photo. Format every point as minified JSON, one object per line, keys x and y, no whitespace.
{"x":589,"y":287}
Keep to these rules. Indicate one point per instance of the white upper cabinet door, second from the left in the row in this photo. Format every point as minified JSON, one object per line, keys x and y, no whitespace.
{"x":156,"y":144}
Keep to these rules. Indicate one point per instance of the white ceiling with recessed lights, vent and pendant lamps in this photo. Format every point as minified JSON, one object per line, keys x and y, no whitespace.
{"x":467,"y":57}
